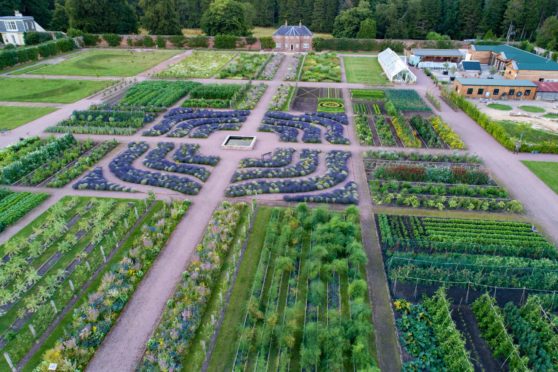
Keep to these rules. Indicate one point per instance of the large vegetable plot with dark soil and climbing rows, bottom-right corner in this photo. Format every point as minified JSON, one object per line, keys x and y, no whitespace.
{"x":472,"y":294}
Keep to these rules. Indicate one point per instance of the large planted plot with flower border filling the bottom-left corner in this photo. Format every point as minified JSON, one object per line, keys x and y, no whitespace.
{"x":80,"y":248}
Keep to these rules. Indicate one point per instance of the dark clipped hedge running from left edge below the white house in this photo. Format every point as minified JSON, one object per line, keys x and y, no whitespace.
{"x":12,"y":57}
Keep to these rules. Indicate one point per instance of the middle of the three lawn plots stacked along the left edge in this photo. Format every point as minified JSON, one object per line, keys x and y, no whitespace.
{"x":48,"y":90}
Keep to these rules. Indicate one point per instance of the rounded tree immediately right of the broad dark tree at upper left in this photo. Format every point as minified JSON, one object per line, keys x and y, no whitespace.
{"x":160,"y":17}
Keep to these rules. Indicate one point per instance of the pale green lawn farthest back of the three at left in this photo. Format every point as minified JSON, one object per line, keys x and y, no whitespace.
{"x":104,"y":63}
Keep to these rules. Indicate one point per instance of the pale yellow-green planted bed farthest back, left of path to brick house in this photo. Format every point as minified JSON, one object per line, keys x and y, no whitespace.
{"x":225,"y":65}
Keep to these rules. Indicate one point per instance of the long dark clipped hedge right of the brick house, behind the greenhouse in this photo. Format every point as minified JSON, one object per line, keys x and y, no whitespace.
{"x":344,"y":44}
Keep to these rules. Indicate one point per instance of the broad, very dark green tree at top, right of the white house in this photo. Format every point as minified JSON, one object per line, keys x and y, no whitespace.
{"x":100,"y":16}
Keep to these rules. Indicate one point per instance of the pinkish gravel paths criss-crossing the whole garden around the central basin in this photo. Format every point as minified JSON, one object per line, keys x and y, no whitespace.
{"x":124,"y":346}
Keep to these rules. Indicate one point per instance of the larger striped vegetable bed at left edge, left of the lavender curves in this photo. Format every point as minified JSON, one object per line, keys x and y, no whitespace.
{"x":52,"y":161}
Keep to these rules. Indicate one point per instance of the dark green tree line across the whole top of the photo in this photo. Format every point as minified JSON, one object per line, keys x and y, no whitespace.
{"x":395,"y":19}
